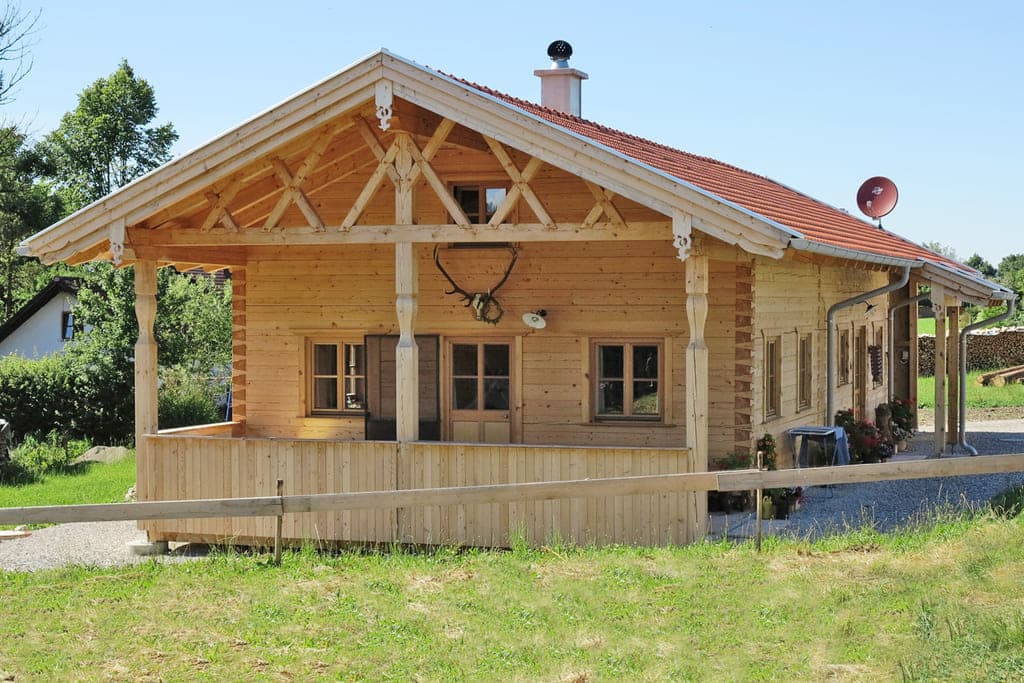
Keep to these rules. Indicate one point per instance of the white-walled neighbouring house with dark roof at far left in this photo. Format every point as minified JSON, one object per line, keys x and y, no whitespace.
{"x":44,"y":325}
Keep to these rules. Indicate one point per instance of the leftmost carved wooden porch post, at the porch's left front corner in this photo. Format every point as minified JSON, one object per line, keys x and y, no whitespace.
{"x":146,"y":367}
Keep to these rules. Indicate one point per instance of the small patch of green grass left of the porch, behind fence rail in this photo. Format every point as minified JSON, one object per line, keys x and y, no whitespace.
{"x":90,"y":483}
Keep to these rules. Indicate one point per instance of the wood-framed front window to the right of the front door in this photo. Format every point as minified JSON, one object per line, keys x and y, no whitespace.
{"x":628,"y":380}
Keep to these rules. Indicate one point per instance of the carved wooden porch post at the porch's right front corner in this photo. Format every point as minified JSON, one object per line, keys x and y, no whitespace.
{"x":697,"y":372}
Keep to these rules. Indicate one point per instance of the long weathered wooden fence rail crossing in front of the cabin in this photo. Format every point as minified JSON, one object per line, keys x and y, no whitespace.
{"x":510,"y":493}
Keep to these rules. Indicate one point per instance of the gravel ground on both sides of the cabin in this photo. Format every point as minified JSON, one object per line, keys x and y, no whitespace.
{"x":884,"y":504}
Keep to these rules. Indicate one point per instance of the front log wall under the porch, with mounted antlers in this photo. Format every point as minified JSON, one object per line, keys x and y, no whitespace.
{"x":623,"y":290}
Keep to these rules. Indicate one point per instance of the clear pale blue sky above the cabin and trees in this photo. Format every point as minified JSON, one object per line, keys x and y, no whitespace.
{"x":817,"y":96}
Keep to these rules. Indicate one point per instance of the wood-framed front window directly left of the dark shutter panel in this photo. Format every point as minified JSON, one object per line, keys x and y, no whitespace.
{"x":337,"y":377}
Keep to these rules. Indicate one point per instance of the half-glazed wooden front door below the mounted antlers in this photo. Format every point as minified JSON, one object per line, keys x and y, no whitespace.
{"x":480,"y":385}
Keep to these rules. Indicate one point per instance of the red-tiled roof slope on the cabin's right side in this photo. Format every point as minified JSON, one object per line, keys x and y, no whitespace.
{"x":815,"y":220}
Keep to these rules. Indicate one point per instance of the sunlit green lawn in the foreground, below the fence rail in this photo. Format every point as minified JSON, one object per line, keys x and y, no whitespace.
{"x":945,"y":602}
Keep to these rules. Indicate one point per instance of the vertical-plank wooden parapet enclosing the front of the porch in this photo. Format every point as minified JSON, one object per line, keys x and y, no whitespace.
{"x":187,"y":466}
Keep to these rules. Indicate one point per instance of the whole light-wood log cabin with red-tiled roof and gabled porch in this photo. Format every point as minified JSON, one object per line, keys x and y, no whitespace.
{"x":686,"y":308}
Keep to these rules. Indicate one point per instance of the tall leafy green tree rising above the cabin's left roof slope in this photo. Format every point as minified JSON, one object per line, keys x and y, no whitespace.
{"x":107,"y":142}
